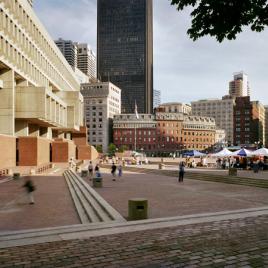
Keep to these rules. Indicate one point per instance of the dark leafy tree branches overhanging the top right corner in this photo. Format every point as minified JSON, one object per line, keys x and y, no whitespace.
{"x":224,"y":19}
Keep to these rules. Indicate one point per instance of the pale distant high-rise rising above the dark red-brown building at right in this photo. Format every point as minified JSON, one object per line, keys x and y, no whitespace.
{"x":239,"y":87}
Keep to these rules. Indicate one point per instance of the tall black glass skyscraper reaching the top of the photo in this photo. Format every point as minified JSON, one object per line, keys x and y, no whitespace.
{"x":125,"y":50}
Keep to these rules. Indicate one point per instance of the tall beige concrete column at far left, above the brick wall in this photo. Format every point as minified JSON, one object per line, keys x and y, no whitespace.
{"x":7,"y":103}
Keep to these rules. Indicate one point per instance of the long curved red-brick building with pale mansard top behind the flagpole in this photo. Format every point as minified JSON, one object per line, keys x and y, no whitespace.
{"x":164,"y":132}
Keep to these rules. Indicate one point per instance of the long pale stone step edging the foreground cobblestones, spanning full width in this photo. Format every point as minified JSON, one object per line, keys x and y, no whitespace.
{"x":37,"y":236}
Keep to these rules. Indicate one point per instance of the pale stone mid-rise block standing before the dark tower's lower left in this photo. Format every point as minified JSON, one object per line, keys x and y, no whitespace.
{"x":102,"y":102}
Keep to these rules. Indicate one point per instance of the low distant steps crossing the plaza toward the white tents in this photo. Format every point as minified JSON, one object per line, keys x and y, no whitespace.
{"x":262,"y":183}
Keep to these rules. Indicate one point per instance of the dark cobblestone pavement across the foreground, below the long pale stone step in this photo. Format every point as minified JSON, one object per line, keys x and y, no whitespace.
{"x":227,"y":243}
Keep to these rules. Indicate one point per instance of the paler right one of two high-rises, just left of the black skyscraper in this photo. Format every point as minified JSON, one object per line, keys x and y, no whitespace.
{"x":86,"y":60}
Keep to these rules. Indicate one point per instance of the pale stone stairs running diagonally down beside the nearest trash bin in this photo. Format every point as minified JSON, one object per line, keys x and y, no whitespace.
{"x":90,"y":206}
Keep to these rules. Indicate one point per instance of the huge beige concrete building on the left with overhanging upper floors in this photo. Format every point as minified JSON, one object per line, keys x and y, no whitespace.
{"x":39,"y":92}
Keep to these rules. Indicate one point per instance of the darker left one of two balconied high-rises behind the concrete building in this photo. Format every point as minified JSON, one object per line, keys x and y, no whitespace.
{"x":69,"y":50}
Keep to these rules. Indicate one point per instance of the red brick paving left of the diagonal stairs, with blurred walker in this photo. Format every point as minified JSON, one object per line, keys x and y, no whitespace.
{"x":53,"y":204}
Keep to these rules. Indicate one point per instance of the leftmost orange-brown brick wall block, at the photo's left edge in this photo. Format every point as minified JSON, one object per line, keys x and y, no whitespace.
{"x":8,"y":152}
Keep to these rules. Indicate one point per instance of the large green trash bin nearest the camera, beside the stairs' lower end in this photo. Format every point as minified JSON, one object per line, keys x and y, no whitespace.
{"x":137,"y":209}
